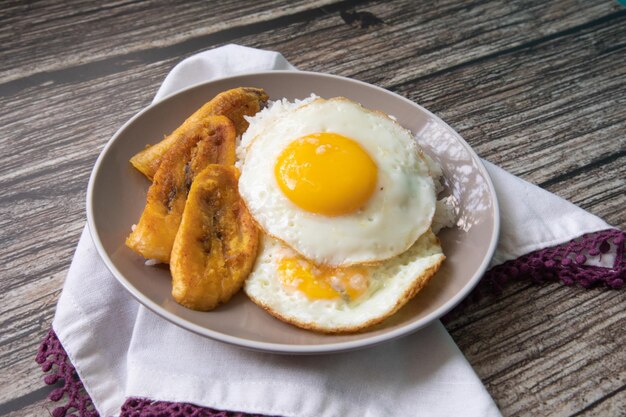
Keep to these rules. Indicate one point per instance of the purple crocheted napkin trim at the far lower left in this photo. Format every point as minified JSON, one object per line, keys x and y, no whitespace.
{"x":53,"y":359}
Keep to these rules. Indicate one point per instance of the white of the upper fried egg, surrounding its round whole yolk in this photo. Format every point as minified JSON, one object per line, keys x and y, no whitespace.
{"x":400,"y":210}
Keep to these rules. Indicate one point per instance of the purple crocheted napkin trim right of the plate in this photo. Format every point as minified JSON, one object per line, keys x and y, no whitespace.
{"x":574,"y":262}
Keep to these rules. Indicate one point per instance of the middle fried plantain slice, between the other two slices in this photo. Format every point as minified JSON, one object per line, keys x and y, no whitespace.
{"x":211,"y":141}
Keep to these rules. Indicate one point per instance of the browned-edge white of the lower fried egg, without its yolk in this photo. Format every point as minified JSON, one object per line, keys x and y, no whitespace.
{"x":391,"y":285}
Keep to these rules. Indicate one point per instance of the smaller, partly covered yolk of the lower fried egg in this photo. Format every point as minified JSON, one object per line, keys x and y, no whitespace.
{"x":323,"y":282}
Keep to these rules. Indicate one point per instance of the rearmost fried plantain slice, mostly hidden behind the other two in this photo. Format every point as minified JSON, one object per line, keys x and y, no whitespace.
{"x":234,"y":104}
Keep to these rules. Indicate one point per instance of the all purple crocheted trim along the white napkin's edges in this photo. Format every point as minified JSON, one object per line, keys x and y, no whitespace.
{"x":574,"y":262}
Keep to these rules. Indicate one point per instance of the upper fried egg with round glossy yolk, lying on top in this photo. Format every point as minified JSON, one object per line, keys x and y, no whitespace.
{"x":337,"y":183}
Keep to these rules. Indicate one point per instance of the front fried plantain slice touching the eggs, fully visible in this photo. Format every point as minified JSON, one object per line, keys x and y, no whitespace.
{"x":216,"y":244}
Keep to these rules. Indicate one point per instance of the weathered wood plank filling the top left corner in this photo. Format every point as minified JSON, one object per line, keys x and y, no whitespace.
{"x":49,"y":35}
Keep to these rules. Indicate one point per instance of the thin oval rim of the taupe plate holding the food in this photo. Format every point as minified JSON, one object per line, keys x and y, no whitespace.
{"x":283,"y":348}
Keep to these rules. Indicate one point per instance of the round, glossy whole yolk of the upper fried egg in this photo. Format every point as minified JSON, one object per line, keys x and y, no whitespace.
{"x":326,"y":173}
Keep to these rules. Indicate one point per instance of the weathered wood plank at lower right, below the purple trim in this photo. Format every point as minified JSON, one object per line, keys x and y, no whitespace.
{"x":557,"y":353}
